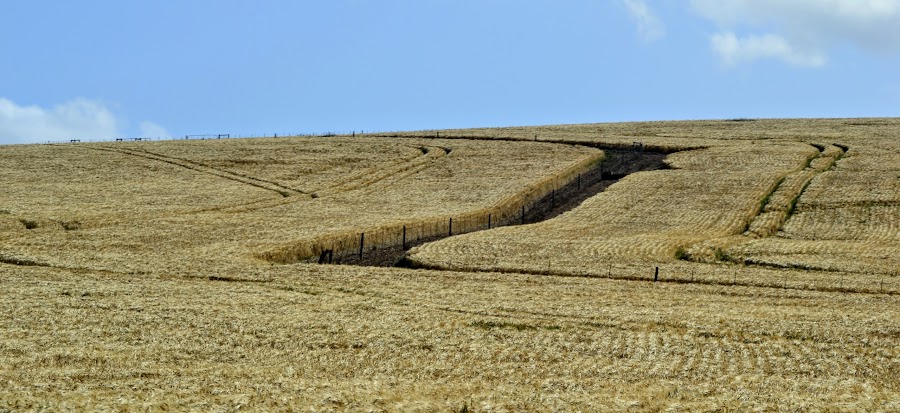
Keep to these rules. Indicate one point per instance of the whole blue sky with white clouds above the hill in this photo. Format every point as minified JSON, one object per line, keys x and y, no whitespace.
{"x":97,"y":69}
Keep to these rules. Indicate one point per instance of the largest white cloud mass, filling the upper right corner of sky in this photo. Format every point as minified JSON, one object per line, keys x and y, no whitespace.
{"x":800,"y":31}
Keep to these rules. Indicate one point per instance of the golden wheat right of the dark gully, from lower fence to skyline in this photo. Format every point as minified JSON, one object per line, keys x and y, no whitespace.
{"x":801,"y":194}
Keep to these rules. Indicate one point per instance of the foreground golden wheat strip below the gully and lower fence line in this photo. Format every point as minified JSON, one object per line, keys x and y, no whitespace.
{"x":362,"y":339}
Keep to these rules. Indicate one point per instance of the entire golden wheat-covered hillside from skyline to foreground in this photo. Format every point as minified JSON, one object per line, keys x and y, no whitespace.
{"x":753,"y":269}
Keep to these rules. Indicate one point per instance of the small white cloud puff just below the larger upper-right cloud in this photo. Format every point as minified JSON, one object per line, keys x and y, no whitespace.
{"x":734,"y":50}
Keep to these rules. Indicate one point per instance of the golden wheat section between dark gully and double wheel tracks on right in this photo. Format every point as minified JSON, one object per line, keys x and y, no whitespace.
{"x":710,"y":197}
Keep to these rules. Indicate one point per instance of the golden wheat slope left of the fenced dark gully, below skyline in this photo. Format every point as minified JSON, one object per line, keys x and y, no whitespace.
{"x":237,"y":220}
